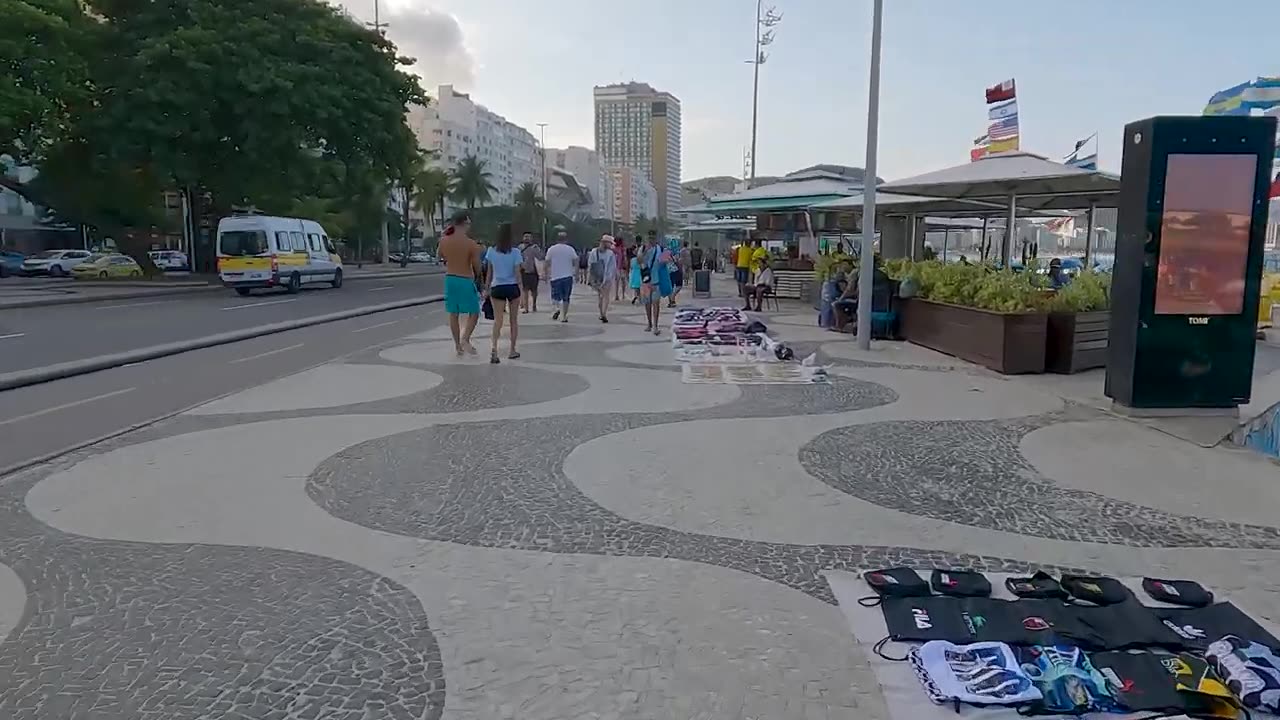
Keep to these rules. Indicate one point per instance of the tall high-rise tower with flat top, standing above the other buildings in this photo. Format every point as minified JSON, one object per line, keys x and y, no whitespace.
{"x":639,"y":127}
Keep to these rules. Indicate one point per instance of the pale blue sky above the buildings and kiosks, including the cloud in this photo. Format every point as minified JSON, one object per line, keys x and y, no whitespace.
{"x":1082,"y":67}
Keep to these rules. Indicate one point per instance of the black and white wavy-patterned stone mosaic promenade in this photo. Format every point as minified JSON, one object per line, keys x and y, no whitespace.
{"x":574,"y":535}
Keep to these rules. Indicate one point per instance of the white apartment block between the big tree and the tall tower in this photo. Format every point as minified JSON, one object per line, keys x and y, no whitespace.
{"x":454,"y":126}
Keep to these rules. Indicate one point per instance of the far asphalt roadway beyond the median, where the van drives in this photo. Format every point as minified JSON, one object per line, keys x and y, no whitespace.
{"x":35,"y":338}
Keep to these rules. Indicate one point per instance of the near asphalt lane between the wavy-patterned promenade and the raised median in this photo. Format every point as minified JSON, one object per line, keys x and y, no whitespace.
{"x":51,"y":418}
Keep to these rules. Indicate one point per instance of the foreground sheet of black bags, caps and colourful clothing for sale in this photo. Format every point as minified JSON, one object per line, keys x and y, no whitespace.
{"x":957,"y":642}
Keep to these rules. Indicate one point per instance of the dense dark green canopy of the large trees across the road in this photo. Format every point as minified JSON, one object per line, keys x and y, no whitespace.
{"x":268,"y":103}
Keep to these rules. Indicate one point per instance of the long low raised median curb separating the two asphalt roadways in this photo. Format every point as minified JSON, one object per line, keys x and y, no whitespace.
{"x":36,"y":376}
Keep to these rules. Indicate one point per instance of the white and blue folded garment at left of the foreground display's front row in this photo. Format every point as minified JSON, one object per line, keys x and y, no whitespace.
{"x":975,"y":675}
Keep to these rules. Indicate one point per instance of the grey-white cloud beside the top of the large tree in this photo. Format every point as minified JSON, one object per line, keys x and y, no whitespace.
{"x":433,"y":38}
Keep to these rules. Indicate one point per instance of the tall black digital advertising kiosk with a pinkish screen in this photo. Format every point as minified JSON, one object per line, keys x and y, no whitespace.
{"x":1188,"y":266}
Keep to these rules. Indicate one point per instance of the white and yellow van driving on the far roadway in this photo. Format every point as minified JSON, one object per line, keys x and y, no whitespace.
{"x":267,"y":252}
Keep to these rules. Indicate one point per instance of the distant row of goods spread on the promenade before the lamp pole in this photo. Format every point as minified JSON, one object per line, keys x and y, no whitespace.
{"x":725,"y":347}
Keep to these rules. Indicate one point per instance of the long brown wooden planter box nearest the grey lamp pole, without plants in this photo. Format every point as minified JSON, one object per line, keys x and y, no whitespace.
{"x":1007,"y":343}
